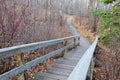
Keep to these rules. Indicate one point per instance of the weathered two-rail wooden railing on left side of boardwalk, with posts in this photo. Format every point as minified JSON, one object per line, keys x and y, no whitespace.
{"x":21,"y":49}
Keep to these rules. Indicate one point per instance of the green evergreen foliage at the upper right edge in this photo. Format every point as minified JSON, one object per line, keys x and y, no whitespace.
{"x":110,"y":27}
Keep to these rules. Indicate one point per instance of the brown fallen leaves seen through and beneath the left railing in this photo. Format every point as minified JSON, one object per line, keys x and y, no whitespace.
{"x":28,"y":56}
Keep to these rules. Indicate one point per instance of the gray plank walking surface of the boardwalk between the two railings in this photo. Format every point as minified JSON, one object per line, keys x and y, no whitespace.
{"x":62,"y":67}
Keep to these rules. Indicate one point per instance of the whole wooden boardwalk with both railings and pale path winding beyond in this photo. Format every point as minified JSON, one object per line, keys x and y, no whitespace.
{"x":72,"y":66}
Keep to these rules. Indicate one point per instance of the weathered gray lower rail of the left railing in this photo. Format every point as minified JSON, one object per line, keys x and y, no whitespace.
{"x":14,"y":72}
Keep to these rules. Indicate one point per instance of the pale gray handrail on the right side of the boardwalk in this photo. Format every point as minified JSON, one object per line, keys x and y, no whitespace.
{"x":80,"y":71}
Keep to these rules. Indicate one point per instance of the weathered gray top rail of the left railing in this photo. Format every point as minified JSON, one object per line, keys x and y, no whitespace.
{"x":11,"y":51}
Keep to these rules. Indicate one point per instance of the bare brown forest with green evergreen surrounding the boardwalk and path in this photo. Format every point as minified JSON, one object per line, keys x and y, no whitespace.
{"x":31,"y":21}
